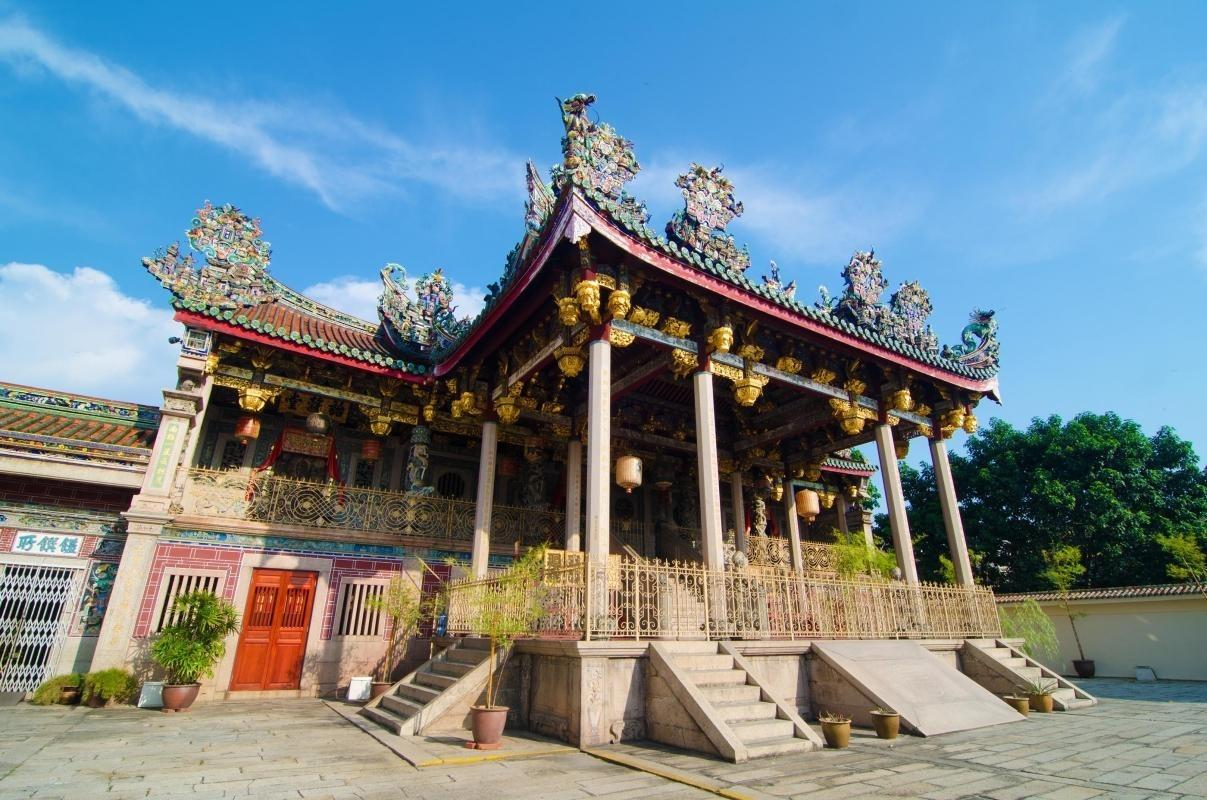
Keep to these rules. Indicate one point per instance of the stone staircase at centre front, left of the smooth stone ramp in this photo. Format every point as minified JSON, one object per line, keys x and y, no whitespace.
{"x":730,"y":704}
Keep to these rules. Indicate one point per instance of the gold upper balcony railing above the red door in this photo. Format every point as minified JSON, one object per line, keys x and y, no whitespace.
{"x":270,"y":499}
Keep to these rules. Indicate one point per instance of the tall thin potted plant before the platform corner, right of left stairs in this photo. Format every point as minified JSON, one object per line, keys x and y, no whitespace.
{"x":509,"y":611}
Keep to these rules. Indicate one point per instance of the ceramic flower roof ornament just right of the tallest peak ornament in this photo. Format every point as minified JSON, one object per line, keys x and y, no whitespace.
{"x":709,"y":207}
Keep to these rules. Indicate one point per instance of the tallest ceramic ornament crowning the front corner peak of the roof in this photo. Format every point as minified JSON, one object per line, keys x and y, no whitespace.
{"x":596,"y":157}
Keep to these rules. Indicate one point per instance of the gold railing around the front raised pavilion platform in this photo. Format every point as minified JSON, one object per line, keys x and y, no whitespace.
{"x":655,"y":600}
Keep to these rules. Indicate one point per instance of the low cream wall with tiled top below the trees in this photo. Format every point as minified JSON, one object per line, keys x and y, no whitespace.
{"x":1165,"y":633}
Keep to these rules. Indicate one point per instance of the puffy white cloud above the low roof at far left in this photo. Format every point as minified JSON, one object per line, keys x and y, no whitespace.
{"x":79,"y":332}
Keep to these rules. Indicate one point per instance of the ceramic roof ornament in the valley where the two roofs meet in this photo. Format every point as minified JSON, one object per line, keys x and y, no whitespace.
{"x":422,"y":325}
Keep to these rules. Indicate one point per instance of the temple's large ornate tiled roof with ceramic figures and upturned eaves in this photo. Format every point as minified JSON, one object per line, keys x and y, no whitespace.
{"x":234,"y":285}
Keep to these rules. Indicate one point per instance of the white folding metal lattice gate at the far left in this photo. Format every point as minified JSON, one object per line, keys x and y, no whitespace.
{"x":37,"y":605}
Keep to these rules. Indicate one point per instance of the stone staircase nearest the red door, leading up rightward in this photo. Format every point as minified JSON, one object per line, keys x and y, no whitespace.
{"x":433,"y":691}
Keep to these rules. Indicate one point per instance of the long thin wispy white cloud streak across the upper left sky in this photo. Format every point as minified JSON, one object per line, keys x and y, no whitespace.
{"x":334,"y":155}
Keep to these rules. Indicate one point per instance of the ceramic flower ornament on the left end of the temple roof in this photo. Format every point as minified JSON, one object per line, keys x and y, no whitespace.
{"x":236,"y":272}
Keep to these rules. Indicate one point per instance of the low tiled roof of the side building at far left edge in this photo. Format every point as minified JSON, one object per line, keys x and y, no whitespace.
{"x":38,"y":421}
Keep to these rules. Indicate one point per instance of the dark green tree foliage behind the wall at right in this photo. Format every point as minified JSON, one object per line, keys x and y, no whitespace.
{"x":1134,"y":507}
